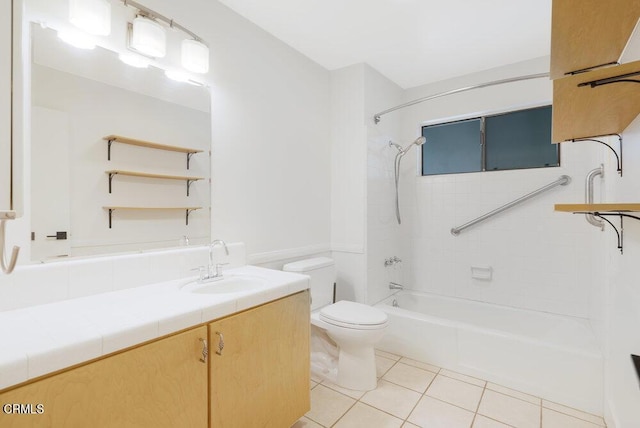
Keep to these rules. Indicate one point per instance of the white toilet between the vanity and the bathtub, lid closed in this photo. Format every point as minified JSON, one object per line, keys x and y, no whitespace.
{"x":348,"y":357}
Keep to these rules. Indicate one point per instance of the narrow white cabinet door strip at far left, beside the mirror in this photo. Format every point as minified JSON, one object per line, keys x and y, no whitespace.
{"x":5,"y":105}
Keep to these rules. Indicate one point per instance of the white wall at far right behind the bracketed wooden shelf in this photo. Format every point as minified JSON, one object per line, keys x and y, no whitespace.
{"x":621,"y":301}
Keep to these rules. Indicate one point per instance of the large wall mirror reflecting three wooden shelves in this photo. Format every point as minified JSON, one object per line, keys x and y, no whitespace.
{"x":82,"y":203}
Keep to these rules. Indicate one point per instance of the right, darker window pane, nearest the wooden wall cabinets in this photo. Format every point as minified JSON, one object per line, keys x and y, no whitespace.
{"x":521,"y":139}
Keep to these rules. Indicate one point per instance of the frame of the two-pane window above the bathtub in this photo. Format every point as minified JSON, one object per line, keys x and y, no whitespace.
{"x":482,"y":115}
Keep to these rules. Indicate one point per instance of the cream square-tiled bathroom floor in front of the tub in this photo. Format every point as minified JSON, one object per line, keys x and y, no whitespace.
{"x":414,"y":394}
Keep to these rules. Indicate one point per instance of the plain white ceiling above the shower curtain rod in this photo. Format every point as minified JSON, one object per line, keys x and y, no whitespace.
{"x":411,"y":42}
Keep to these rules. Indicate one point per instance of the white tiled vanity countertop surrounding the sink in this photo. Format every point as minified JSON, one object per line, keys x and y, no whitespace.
{"x":42,"y":339}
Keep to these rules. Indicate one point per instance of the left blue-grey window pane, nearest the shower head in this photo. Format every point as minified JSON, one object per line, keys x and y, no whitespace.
{"x":452,"y":148}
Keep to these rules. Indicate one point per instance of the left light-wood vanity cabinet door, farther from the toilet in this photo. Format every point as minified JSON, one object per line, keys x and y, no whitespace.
{"x":161,"y":384}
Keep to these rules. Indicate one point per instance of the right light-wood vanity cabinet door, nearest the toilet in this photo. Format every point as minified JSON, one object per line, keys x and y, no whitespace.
{"x":261,"y":378}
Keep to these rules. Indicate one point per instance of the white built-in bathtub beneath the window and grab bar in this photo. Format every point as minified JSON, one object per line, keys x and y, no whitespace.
{"x":546,"y":355}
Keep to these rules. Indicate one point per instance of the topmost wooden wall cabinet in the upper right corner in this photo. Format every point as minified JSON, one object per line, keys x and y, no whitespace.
{"x":590,"y":33}
